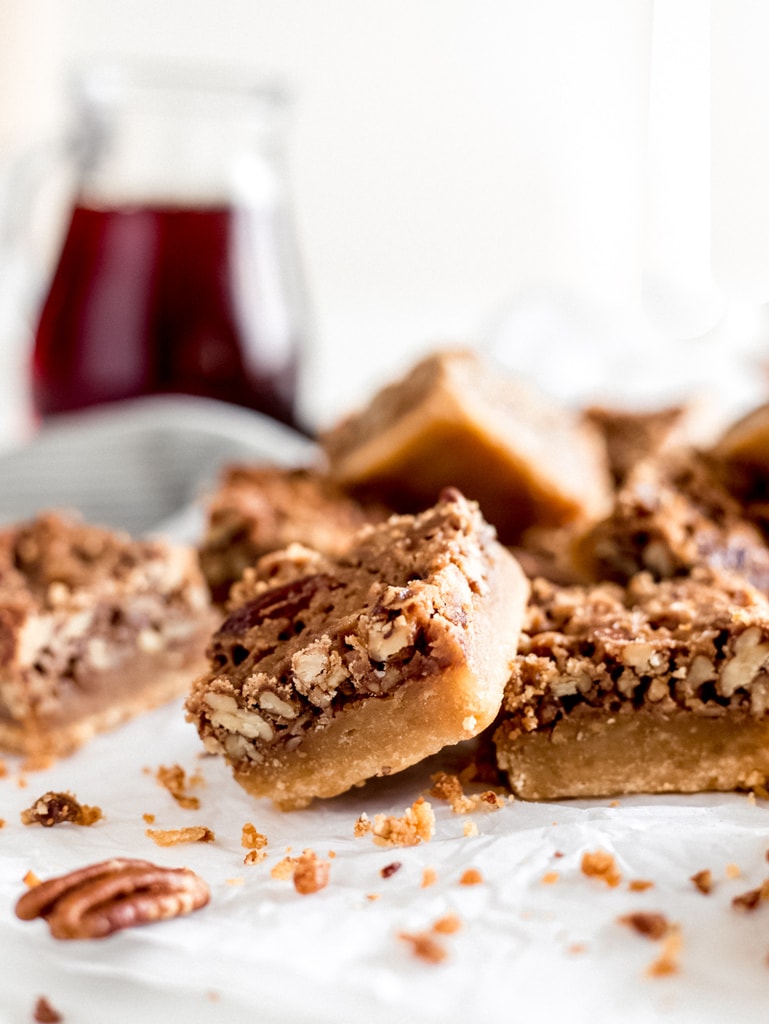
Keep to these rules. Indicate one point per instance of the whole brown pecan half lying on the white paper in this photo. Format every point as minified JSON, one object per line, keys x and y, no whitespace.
{"x":95,"y":902}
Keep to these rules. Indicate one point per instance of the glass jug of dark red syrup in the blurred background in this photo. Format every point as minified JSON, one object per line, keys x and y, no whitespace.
{"x":179,"y":270}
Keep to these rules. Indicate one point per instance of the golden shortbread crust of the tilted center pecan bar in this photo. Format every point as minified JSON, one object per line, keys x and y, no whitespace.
{"x":416,"y":721}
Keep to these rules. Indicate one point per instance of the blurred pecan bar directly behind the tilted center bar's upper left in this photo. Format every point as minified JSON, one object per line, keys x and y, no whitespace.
{"x":259,"y":509}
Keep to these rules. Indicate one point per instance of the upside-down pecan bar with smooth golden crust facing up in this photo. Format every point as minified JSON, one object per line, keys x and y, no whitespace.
{"x":457,"y":421}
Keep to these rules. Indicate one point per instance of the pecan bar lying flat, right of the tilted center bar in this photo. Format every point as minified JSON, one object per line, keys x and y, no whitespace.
{"x":661,"y":687}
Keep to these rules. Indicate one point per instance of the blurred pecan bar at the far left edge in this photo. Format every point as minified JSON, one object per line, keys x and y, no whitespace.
{"x":95,"y":628}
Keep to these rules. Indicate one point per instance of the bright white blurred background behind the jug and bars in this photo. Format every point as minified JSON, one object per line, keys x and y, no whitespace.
{"x":534,"y":178}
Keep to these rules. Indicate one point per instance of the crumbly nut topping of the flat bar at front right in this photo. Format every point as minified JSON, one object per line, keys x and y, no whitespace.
{"x":700,"y":645}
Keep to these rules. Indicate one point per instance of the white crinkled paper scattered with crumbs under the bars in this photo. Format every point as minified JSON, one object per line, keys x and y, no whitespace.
{"x":528,"y":951}
